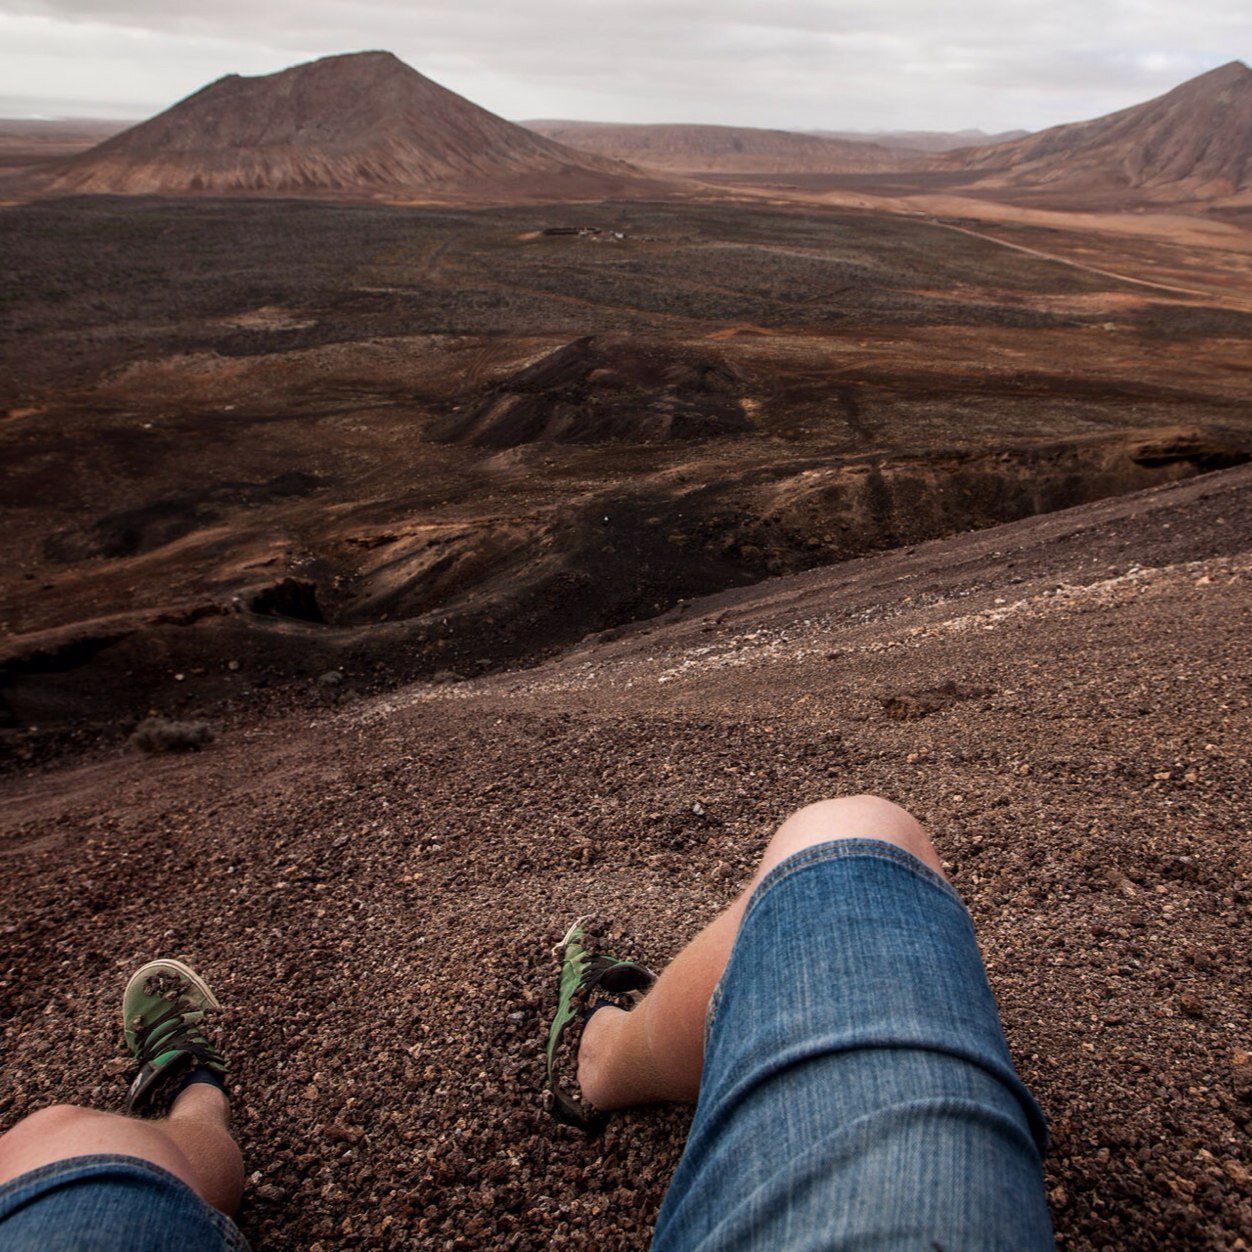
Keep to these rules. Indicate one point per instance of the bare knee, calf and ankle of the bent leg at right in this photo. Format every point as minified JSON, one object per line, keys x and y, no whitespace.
{"x":655,"y":1052}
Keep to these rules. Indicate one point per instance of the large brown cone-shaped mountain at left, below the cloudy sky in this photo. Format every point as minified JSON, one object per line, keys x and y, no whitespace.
{"x":362,"y":123}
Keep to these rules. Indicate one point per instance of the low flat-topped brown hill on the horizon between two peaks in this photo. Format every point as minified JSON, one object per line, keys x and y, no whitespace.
{"x":722,"y":150}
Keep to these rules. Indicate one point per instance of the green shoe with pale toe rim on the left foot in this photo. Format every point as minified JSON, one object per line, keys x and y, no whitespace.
{"x":162,"y":1011}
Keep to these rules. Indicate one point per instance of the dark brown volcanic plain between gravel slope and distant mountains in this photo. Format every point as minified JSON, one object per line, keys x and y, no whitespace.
{"x":269,"y":451}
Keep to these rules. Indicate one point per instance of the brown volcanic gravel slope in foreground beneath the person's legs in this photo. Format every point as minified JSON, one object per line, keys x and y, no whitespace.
{"x":374,"y":891}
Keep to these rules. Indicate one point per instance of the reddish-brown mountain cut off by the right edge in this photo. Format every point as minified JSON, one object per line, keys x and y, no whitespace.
{"x":1194,"y":143}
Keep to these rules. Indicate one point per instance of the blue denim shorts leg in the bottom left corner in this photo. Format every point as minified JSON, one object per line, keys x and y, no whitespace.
{"x":108,"y":1204}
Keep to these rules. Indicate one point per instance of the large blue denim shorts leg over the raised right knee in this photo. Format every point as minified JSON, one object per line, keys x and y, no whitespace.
{"x":857,"y":1089}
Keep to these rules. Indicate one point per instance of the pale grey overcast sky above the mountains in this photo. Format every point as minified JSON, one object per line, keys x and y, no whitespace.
{"x":799,"y":64}
